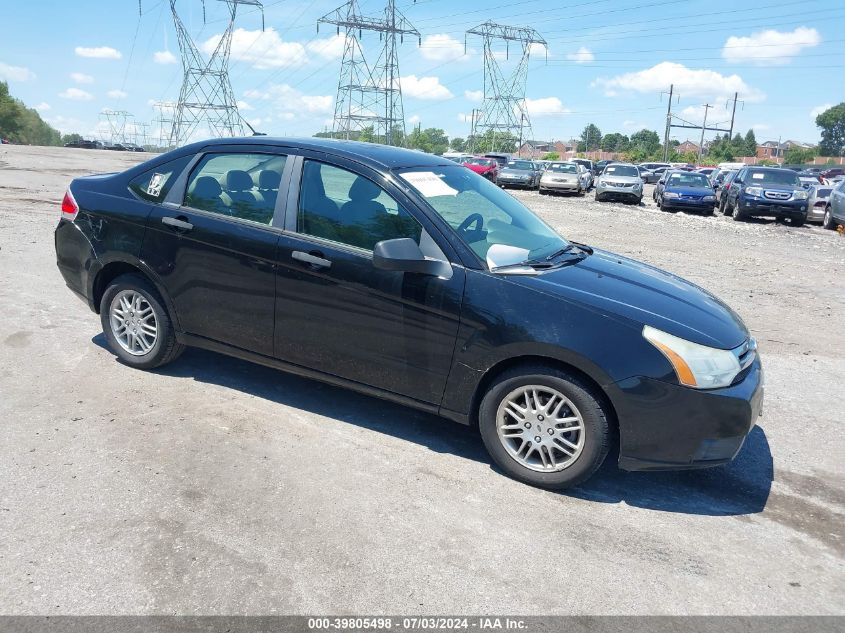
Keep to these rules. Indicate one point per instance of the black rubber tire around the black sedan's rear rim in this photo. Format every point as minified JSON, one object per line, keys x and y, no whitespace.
{"x":165,"y":349}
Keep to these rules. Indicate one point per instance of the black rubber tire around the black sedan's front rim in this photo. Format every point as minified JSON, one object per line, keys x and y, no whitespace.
{"x":597,"y":434}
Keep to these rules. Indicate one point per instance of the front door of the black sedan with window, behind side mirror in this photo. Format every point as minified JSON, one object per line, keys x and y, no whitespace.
{"x":337,"y":313}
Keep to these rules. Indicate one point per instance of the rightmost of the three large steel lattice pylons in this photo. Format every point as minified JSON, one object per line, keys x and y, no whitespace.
{"x":503,"y":110}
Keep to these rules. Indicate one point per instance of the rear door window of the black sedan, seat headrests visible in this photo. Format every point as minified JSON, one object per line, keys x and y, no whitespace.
{"x":237,"y":184}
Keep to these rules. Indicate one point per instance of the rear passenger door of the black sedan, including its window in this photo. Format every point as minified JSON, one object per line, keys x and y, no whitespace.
{"x":213,"y":246}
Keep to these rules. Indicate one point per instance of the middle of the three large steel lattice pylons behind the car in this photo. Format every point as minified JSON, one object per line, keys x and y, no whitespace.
{"x":370,"y":96}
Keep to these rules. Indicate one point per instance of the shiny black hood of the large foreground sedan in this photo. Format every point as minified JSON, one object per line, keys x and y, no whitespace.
{"x":646,"y":295}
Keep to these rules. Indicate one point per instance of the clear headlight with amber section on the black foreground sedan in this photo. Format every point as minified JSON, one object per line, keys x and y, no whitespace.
{"x":695,"y":365}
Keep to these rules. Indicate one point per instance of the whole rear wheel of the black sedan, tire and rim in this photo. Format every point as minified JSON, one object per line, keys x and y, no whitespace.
{"x":136,"y":324}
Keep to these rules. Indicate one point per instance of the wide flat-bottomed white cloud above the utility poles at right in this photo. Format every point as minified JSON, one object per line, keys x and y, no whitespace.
{"x":692,"y":83}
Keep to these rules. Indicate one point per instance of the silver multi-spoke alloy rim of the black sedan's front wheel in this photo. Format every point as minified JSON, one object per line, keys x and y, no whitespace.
{"x":540,"y":428}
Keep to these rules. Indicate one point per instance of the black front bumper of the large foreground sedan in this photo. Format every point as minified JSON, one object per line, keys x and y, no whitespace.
{"x":670,"y":427}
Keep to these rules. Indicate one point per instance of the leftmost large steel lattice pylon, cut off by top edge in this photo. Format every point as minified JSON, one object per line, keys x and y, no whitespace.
{"x":206,"y":95}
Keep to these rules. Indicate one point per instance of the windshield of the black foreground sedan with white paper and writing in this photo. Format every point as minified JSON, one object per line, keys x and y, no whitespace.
{"x":483,"y":215}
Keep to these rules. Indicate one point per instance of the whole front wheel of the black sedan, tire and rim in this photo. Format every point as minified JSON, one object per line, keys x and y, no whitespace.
{"x":544,"y":427}
